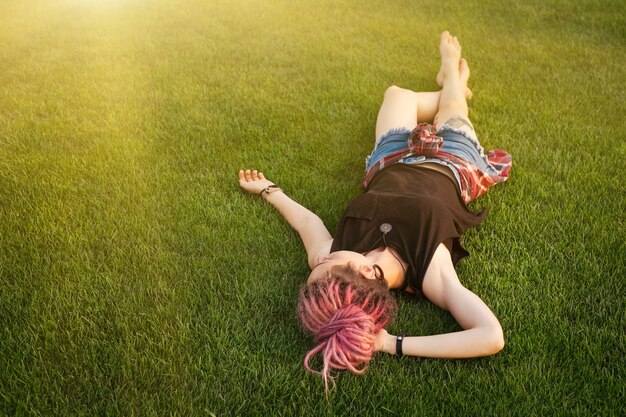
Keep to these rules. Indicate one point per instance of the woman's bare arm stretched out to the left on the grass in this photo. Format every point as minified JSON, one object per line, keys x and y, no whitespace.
{"x":314,"y":235}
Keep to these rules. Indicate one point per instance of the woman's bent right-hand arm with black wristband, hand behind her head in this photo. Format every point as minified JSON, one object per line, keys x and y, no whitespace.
{"x":481,"y":334}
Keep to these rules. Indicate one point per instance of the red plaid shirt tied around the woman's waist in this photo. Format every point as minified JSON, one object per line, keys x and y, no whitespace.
{"x":423,"y":141}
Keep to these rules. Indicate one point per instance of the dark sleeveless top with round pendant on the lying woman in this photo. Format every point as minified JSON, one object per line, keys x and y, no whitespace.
{"x":411,"y":210}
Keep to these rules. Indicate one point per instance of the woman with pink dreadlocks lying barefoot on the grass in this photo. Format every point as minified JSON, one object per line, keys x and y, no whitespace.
{"x":402,"y":232}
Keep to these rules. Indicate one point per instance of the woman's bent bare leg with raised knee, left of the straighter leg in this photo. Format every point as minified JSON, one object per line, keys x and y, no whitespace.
{"x":406,"y":108}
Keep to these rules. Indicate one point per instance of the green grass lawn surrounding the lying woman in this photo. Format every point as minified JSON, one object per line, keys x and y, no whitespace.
{"x":137,"y":279}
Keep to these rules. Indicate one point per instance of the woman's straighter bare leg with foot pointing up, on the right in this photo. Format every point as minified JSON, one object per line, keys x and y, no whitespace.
{"x":455,"y":73}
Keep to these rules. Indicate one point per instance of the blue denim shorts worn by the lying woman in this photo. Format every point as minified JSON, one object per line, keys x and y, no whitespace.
{"x":458,"y":142}
